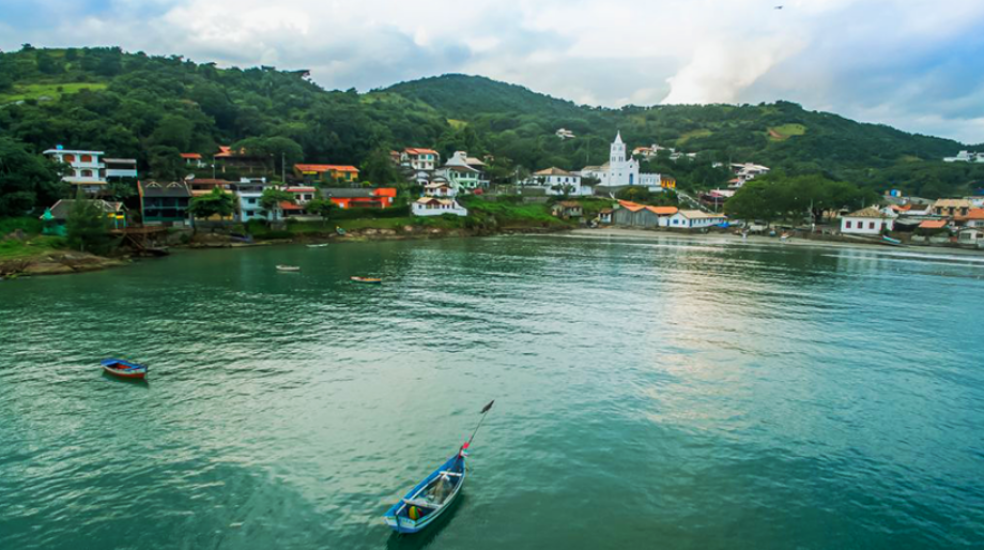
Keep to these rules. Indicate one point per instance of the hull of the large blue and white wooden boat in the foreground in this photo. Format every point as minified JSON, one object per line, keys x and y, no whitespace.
{"x":428,"y":499}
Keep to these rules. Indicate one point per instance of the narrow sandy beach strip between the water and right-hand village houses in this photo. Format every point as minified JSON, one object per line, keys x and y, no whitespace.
{"x":643,"y":234}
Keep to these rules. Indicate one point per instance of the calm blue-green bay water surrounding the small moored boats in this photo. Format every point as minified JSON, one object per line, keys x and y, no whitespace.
{"x":650,"y":394}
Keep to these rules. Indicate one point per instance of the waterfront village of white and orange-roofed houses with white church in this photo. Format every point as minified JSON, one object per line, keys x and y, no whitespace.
{"x":260,"y":205}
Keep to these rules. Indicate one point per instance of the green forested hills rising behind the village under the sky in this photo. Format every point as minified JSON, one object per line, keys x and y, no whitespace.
{"x":153,"y":108}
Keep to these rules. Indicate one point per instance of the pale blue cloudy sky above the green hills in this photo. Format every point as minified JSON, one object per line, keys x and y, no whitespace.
{"x":917,"y":65}
